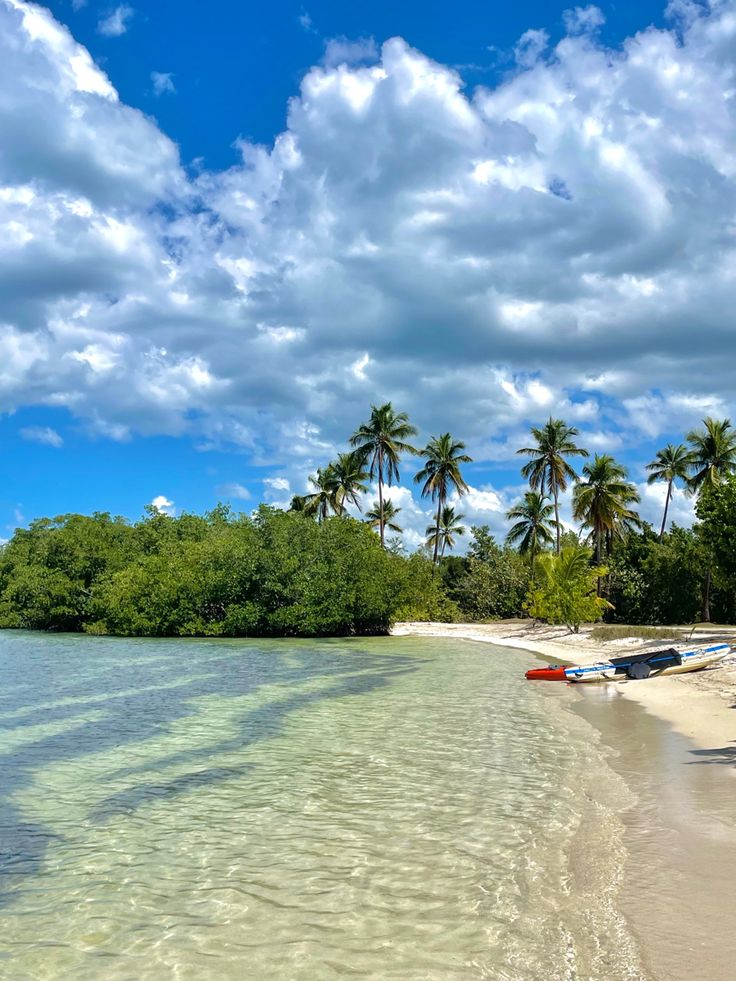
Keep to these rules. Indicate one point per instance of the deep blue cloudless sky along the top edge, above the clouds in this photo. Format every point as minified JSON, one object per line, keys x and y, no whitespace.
{"x":236,"y":66}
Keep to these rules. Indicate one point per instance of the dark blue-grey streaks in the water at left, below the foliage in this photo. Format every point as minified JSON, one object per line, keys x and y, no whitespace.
{"x":133,"y":717}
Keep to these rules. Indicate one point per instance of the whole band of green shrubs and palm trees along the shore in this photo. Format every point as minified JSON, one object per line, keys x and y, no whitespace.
{"x":332,"y":564}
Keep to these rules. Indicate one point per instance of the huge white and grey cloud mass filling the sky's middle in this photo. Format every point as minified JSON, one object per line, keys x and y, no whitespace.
{"x":562,"y":243}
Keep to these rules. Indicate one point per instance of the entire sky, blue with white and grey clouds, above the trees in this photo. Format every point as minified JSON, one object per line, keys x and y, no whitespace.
{"x":229,"y":232}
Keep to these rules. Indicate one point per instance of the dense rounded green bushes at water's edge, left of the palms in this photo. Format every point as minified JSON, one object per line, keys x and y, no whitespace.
{"x":219,"y":575}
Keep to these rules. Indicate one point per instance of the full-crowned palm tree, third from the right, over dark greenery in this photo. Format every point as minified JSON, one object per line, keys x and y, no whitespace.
{"x":602,"y":501}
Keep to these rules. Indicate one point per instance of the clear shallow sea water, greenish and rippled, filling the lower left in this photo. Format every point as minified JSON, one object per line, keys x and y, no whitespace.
{"x":392,"y":808}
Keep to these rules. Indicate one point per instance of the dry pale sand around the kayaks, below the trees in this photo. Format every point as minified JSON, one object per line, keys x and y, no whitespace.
{"x":699,"y":705}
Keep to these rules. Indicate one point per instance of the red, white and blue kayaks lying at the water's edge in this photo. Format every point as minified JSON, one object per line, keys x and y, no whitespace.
{"x":634,"y":666}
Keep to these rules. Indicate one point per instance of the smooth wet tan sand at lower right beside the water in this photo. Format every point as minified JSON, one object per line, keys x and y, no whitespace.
{"x":679,"y":887}
